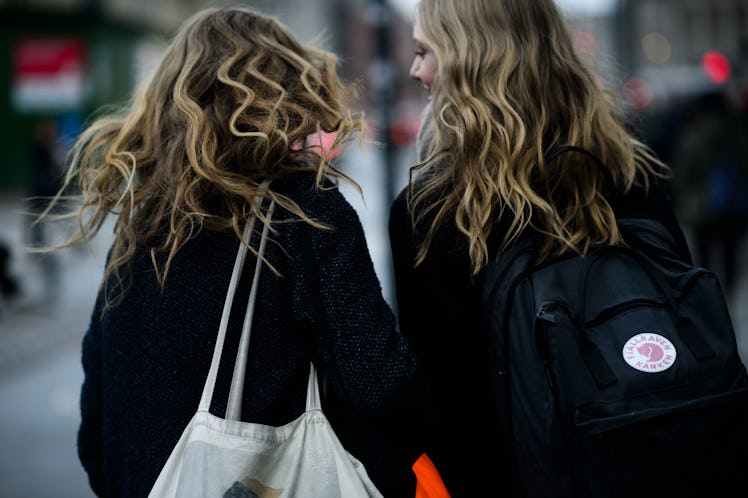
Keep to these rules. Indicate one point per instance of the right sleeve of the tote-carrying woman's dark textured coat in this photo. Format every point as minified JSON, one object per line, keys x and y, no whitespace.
{"x":375,"y":386}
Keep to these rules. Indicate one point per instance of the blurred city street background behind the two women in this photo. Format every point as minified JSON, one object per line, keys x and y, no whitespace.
{"x":679,"y":66}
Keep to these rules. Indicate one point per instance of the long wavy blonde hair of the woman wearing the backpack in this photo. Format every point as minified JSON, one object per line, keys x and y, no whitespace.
{"x":510,"y":87}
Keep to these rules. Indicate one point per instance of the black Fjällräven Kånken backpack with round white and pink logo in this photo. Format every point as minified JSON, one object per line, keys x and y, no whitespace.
{"x":617,"y":374}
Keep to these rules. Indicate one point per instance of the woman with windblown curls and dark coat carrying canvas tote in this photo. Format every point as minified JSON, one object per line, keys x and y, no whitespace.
{"x":232,"y":104}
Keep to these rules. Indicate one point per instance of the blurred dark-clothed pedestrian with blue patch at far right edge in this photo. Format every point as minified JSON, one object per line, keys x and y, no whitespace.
{"x":711,"y":183}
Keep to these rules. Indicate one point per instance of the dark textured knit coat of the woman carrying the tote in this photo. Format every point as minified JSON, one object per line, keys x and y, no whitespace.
{"x":146,"y":360}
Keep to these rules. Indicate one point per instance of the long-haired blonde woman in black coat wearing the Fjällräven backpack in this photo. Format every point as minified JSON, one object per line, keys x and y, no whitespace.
{"x":506,"y":88}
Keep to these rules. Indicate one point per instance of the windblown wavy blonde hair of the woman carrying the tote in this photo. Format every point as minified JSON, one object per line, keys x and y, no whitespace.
{"x":233,"y":102}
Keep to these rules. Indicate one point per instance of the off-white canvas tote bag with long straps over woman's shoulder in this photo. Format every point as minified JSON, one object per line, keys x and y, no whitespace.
{"x":227,"y":458}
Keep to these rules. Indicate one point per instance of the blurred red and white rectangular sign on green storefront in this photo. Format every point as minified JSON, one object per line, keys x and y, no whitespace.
{"x":48,"y":74}
